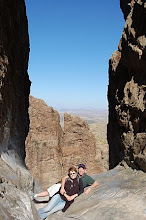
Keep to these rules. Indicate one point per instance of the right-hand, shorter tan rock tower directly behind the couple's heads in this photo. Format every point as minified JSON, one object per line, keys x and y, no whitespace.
{"x":79,"y":144}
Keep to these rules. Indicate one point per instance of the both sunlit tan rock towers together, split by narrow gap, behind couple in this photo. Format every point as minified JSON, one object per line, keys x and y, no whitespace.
{"x":50,"y":151}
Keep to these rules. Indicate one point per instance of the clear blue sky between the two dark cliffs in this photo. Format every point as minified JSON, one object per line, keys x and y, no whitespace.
{"x":71,"y":42}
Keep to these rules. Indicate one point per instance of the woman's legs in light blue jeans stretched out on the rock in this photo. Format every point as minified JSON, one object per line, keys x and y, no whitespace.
{"x":52,"y":203}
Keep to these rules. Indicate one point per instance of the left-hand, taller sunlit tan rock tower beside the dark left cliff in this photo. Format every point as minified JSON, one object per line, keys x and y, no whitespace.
{"x":43,"y":143}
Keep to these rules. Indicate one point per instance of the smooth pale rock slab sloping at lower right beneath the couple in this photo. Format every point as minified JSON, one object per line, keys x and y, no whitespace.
{"x":121,"y":194}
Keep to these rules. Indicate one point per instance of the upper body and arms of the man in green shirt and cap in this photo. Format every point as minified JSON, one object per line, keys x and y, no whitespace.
{"x":88,"y":181}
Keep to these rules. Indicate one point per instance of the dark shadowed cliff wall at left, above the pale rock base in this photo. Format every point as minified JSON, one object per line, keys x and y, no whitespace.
{"x":14,"y":80}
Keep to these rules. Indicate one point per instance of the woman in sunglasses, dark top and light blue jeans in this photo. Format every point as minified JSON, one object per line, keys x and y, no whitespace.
{"x":73,"y":188}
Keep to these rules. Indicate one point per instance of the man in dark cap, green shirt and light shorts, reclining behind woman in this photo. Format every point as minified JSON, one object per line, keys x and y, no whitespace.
{"x":87,"y":180}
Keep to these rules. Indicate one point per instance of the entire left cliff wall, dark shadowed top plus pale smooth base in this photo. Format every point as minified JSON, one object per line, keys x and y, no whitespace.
{"x":15,"y":180}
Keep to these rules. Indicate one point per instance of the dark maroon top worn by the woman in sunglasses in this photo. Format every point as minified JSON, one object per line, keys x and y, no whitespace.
{"x":71,"y":187}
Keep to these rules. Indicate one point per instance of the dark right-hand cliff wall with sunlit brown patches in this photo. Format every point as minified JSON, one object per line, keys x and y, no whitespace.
{"x":127,"y":90}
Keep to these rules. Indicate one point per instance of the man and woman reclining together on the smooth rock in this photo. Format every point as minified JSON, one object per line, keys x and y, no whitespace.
{"x":63,"y":194}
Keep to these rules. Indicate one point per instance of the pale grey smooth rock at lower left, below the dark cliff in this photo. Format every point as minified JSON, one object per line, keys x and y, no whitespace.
{"x":16,"y":183}
